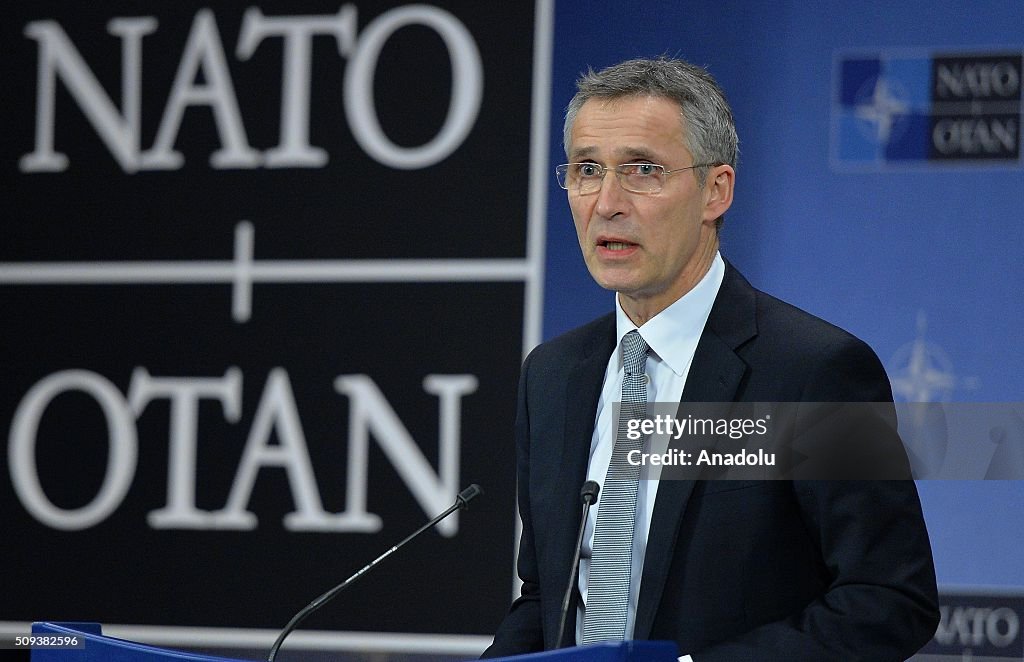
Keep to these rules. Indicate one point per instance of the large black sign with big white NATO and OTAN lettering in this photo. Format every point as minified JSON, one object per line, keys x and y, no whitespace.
{"x":264,"y":281}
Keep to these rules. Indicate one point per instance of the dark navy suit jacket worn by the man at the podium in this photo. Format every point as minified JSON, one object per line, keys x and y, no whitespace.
{"x":766,"y":570}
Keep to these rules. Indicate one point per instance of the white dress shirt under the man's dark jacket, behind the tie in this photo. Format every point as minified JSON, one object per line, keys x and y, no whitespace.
{"x":672,"y":337}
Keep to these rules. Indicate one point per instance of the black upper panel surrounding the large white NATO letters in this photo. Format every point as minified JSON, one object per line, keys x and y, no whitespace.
{"x":473,"y":204}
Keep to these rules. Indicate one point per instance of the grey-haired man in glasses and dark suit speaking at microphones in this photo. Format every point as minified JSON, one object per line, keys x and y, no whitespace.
{"x":730,"y":570}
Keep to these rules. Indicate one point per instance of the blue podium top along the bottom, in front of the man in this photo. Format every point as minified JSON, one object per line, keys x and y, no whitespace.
{"x":98,"y":648}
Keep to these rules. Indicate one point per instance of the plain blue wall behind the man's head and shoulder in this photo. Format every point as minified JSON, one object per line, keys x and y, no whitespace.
{"x":911,"y":254}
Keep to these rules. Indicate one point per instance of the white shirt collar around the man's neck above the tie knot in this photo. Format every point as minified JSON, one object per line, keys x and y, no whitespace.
{"x":673,"y":334}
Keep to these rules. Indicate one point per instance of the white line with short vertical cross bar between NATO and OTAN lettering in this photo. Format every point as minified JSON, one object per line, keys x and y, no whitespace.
{"x":244,"y":271}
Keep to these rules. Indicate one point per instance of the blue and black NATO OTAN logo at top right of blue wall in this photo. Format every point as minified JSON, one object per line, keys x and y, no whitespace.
{"x":893,"y":110}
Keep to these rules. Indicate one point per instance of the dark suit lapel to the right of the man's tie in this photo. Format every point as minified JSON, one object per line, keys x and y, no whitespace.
{"x":715,"y":376}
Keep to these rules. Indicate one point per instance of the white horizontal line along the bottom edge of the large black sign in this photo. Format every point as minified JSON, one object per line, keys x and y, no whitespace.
{"x":468,"y":645}
